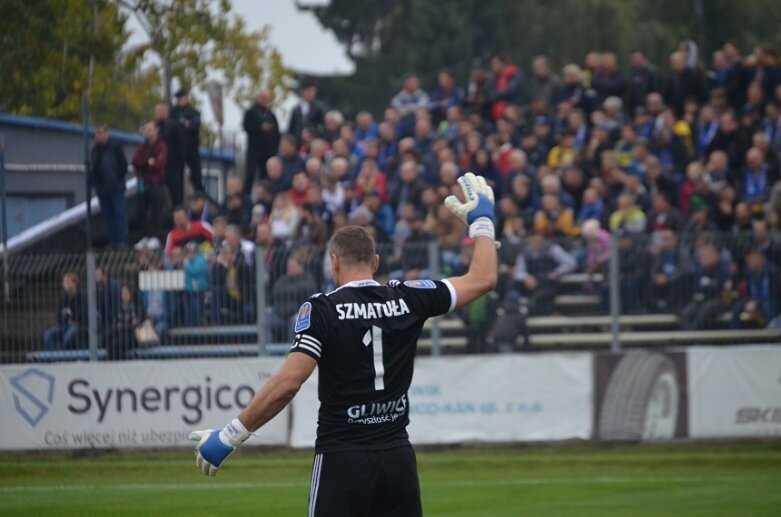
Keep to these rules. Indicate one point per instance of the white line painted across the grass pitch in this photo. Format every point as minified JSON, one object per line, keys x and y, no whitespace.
{"x":180,"y":487}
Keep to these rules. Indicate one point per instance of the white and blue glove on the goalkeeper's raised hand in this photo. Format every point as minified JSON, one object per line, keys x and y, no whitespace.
{"x":478,"y":210}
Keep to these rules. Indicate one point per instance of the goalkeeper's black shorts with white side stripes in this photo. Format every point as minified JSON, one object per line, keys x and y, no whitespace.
{"x":365,"y":483}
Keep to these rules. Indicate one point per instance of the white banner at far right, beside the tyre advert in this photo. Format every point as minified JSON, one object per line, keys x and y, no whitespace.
{"x":735,"y":391}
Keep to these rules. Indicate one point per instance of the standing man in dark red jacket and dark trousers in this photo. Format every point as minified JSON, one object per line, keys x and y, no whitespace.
{"x":149,"y":161}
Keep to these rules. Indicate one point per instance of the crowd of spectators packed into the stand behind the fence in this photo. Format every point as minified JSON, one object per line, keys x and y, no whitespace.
{"x":680,"y":163}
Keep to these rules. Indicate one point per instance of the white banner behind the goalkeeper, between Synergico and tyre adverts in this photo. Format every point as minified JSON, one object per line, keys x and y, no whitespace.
{"x":498,"y":398}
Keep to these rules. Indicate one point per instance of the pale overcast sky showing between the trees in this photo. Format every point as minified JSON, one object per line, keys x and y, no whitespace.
{"x":305,"y":46}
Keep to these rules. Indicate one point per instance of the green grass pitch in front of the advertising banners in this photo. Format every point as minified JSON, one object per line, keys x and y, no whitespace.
{"x":736,"y":478}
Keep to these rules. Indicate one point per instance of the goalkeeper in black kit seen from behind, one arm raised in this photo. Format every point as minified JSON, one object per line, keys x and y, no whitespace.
{"x":363,"y":338}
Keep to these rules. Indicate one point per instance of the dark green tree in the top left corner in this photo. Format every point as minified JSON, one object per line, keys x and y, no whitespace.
{"x":56,"y":50}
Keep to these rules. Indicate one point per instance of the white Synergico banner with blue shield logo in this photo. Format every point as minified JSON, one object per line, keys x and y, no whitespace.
{"x":128,"y":404}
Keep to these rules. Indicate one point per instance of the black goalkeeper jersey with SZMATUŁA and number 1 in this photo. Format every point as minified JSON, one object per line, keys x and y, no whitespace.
{"x":363,"y":336}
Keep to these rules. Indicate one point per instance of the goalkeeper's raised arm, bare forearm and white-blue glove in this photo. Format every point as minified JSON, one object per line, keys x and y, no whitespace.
{"x":477,"y":211}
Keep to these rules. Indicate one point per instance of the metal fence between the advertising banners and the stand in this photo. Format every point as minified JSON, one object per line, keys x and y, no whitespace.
{"x":241,"y":300}
